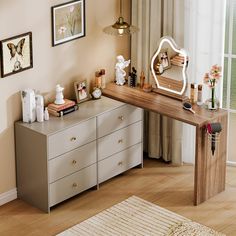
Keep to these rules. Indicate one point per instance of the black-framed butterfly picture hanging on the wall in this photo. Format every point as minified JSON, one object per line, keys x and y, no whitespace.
{"x":16,"y":54}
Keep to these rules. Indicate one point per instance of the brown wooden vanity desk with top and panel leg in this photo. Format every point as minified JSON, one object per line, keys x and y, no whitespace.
{"x":210,"y":171}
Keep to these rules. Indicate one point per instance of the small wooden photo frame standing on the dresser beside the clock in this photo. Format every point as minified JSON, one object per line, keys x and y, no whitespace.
{"x":81,"y":91}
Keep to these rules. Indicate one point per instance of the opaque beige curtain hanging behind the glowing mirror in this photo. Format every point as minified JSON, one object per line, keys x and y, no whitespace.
{"x":156,"y":18}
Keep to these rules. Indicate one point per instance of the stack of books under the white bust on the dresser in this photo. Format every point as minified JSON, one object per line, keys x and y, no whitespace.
{"x":61,"y":110}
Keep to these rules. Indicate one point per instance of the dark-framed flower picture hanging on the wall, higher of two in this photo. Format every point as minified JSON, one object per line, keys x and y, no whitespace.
{"x":68,"y":21}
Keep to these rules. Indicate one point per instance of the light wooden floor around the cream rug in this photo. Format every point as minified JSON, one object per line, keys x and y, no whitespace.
{"x":169,"y":187}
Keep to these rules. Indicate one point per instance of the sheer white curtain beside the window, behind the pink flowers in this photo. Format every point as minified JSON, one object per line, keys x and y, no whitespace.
{"x":204,"y":42}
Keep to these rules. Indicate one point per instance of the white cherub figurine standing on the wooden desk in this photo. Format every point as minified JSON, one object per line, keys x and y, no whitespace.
{"x":120,"y":73}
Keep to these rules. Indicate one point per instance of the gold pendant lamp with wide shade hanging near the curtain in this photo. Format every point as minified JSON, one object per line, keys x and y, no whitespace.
{"x":120,"y":27}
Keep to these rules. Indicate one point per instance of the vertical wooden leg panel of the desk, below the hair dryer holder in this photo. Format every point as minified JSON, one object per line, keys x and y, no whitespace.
{"x":210,"y":170}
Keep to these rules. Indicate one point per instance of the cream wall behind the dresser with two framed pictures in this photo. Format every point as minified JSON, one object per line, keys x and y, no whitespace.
{"x":62,"y":64}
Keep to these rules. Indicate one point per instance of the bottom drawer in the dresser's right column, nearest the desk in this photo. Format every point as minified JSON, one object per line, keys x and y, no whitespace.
{"x":119,"y":162}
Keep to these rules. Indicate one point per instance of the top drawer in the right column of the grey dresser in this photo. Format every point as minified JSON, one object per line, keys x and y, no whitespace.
{"x":117,"y":119}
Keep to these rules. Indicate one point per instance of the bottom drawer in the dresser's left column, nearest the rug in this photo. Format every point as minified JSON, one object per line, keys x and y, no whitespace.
{"x":72,"y":185}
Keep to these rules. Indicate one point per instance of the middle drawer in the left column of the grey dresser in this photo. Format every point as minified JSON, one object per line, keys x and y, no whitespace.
{"x":72,"y":161}
